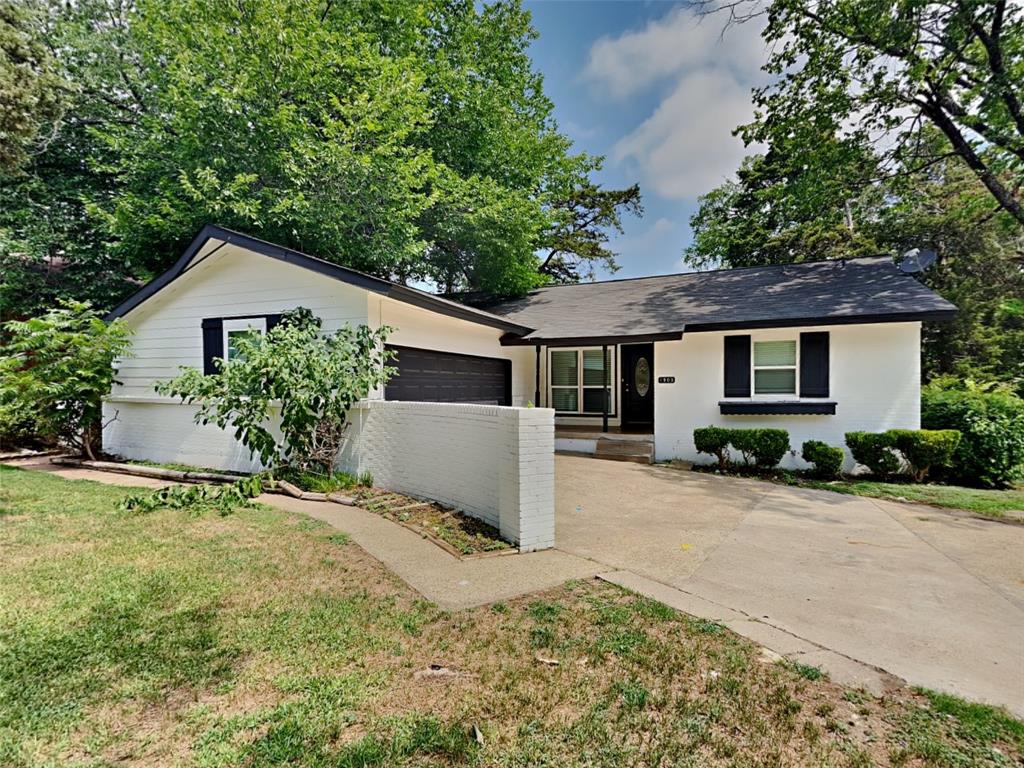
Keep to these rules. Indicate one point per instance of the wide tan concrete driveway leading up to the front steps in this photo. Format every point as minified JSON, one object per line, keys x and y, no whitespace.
{"x":846,"y":583}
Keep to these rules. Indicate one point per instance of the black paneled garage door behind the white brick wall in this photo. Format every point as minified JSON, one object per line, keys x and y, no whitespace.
{"x":430,"y":376}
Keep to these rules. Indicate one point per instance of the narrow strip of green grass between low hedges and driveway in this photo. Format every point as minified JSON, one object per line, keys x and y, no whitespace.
{"x":980,"y":501}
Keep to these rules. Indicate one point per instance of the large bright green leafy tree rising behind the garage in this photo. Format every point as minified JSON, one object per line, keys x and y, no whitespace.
{"x":409,"y":140}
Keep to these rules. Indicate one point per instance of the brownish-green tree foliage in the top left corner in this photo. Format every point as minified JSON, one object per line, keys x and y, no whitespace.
{"x":32,"y":94}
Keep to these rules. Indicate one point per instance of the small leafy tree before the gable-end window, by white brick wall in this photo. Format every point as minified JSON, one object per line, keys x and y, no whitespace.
{"x":296,"y":378}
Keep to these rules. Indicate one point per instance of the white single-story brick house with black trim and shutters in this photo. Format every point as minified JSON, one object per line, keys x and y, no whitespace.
{"x":623,"y":368}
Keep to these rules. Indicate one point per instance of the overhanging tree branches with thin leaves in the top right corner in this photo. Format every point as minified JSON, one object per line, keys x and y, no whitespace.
{"x":887,"y":70}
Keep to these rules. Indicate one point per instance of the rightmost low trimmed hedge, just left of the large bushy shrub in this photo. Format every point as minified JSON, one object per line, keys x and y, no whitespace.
{"x":911,"y":451}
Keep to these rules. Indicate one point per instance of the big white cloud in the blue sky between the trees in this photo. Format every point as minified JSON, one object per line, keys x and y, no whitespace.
{"x":686,"y":147}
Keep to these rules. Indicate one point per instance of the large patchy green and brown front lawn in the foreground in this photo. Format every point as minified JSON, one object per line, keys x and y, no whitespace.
{"x":266,"y":639}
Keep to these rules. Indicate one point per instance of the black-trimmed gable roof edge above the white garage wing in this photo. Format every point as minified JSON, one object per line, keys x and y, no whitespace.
{"x":219,"y":237}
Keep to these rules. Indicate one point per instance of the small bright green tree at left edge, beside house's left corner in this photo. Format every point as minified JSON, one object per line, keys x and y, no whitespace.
{"x":56,"y":369}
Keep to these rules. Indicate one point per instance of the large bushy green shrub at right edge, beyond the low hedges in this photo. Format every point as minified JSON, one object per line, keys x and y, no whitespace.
{"x":992,"y":425}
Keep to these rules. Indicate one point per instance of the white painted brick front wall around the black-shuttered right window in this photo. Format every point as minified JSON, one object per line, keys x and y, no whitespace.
{"x":875,"y":380}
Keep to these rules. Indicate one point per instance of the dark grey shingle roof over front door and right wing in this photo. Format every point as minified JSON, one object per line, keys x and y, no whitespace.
{"x":864,"y":290}
